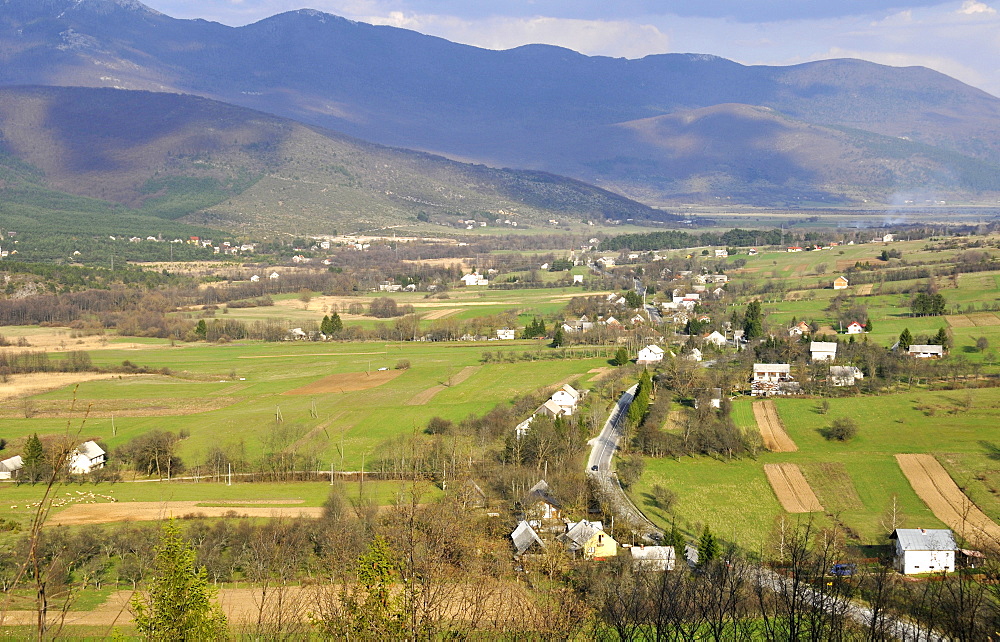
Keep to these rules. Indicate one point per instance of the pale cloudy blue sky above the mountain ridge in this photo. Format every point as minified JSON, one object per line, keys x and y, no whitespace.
{"x":960,"y":38}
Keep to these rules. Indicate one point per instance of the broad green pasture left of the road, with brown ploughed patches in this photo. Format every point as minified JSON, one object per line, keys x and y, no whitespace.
{"x":234,"y":396}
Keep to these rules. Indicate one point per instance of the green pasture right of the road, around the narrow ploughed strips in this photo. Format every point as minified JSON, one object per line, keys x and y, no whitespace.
{"x":855,"y":481}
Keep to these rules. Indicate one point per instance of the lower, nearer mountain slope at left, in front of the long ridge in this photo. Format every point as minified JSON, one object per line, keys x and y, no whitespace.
{"x":166,"y":155}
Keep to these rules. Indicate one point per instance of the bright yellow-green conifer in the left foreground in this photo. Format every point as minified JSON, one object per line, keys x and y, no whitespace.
{"x":178,"y":602}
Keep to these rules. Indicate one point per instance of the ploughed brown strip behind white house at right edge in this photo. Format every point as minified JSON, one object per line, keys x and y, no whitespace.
{"x":947,"y":501}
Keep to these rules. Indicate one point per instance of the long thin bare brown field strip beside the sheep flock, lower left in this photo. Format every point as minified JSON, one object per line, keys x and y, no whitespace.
{"x":154,"y":511}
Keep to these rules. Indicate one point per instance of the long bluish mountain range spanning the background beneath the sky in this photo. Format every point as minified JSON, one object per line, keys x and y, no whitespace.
{"x":664,"y":129}
